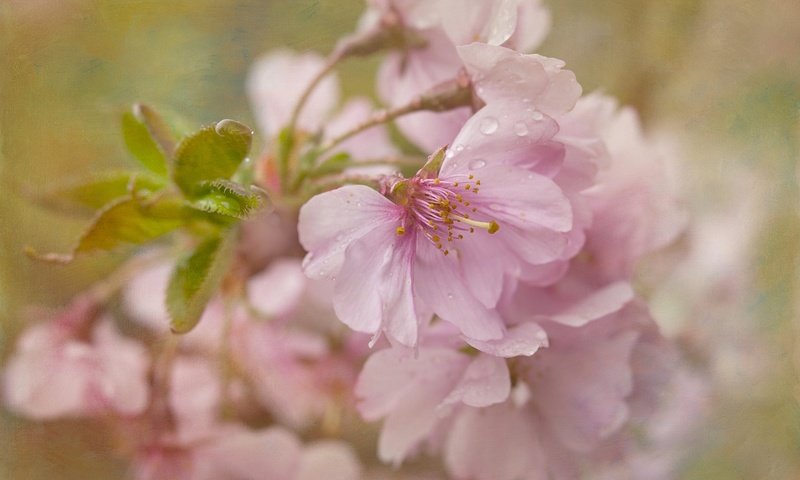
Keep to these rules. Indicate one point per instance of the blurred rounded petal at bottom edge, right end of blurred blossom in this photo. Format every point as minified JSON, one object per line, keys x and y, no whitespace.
{"x":328,"y":459}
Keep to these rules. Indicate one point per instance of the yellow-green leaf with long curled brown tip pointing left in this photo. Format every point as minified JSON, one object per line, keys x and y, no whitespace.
{"x":124,"y":221}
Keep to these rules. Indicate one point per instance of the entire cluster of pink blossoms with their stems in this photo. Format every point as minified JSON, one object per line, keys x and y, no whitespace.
{"x":492,"y":321}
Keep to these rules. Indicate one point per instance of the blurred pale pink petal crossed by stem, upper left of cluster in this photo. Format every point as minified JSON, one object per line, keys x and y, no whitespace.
{"x":277,"y":80}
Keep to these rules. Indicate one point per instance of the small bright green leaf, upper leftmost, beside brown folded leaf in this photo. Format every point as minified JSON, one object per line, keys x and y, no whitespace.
{"x":137,"y":132}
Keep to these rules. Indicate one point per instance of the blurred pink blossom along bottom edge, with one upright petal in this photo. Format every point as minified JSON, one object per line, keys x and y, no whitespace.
{"x":202,"y":447}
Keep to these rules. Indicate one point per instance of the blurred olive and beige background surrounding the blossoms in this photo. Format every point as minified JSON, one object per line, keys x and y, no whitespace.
{"x":716,"y":81}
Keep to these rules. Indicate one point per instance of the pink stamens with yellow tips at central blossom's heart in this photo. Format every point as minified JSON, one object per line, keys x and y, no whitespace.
{"x":445,"y":210}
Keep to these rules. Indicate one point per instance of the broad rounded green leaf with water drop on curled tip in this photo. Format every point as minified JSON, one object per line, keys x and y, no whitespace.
{"x":212,"y":153}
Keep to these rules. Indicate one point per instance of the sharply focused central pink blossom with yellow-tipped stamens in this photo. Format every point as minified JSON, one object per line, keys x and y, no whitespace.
{"x":425,"y":246}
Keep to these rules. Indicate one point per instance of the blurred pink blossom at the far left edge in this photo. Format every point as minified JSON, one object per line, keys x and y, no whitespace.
{"x":54,"y":373}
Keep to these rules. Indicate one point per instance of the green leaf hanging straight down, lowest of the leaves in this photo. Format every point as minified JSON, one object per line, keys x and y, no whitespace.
{"x":195,"y":279}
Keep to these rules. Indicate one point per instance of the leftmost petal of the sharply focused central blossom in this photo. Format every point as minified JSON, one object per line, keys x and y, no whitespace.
{"x":331,"y":221}
